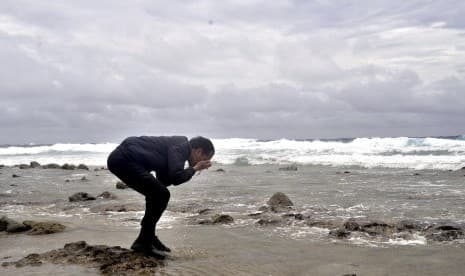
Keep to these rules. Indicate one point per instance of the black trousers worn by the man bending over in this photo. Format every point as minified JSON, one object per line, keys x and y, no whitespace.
{"x":135,"y":176}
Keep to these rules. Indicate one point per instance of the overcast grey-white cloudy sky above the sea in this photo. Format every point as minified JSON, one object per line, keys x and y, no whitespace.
{"x":98,"y":71}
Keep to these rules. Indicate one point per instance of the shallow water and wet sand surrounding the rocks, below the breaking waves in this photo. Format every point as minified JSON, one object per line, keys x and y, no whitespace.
{"x":243,"y":248}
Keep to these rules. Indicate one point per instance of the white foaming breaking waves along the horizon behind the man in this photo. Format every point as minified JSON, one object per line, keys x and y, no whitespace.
{"x":400,"y":152}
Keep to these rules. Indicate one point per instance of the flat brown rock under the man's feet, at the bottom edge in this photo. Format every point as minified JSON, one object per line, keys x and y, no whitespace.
{"x":110,"y":260}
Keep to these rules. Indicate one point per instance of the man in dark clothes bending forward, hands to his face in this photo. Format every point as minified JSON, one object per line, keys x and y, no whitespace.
{"x":134,"y":160}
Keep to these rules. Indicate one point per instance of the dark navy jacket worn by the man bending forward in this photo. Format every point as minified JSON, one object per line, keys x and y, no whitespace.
{"x":164,"y":155}
